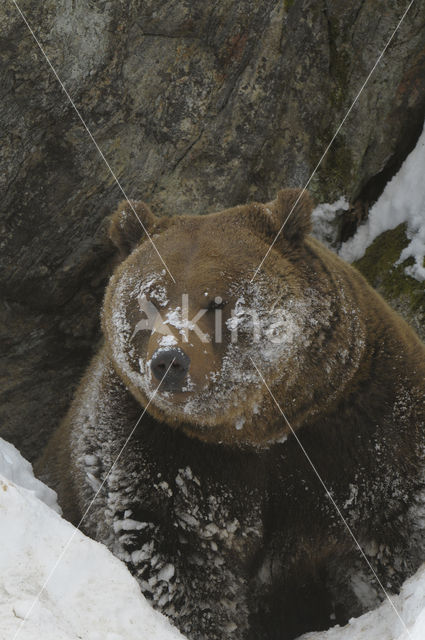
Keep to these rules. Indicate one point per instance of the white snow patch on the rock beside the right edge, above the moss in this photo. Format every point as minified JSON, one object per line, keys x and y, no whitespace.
{"x":403,"y":200}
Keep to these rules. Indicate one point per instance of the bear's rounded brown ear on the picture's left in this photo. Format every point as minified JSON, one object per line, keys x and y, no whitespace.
{"x":129,"y":225}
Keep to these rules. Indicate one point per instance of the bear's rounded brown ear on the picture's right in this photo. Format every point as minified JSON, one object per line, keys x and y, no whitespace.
{"x":292,"y":209}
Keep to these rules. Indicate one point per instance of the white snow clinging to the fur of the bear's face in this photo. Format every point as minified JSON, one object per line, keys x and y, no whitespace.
{"x":282,"y":334}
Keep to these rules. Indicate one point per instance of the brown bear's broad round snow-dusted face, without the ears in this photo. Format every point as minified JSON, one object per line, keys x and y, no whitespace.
{"x":218,"y":322}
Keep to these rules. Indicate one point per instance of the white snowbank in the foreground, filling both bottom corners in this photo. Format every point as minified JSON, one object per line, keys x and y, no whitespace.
{"x":91,"y":595}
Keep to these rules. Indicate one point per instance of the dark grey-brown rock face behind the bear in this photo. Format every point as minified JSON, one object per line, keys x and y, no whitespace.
{"x":196,"y":106}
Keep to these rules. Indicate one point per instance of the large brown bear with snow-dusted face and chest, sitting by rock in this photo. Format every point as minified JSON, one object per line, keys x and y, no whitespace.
{"x":200,"y":485}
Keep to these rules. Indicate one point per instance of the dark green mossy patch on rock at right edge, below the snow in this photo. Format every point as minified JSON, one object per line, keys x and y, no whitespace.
{"x":377,"y":265}
